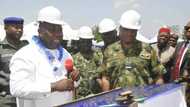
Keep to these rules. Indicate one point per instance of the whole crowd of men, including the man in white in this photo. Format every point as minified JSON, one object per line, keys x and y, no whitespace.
{"x":33,"y":68}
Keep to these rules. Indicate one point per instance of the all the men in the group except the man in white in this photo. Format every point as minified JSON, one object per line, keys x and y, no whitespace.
{"x":123,"y":61}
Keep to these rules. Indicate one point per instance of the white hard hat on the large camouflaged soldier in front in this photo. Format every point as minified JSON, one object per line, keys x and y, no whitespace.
{"x":131,"y":19}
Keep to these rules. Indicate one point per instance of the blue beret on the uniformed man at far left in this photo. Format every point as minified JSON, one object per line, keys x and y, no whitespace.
{"x":13,"y":20}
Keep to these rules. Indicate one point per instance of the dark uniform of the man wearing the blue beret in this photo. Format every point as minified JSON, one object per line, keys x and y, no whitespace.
{"x":6,"y":51}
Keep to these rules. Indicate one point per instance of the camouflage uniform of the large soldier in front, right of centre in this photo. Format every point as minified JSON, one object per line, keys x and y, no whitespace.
{"x":131,"y":67}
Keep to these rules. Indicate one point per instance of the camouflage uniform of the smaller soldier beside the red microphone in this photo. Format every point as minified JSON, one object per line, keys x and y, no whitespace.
{"x":88,"y":72}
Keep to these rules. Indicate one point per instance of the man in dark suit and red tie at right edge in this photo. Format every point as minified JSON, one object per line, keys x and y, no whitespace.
{"x":181,"y":66}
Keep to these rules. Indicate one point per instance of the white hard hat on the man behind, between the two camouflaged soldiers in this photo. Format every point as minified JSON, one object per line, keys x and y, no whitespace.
{"x":106,"y":25}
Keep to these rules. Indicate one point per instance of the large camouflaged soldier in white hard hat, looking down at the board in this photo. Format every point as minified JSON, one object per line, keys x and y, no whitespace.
{"x":130,"y":62}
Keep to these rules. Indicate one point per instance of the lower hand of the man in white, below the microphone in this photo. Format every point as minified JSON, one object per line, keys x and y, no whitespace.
{"x":62,"y":85}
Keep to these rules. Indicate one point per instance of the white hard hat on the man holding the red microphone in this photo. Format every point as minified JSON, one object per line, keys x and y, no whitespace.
{"x":50,"y":14}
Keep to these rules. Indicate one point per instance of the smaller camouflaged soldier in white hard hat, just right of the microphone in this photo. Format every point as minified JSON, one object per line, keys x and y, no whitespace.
{"x":87,"y":62}
